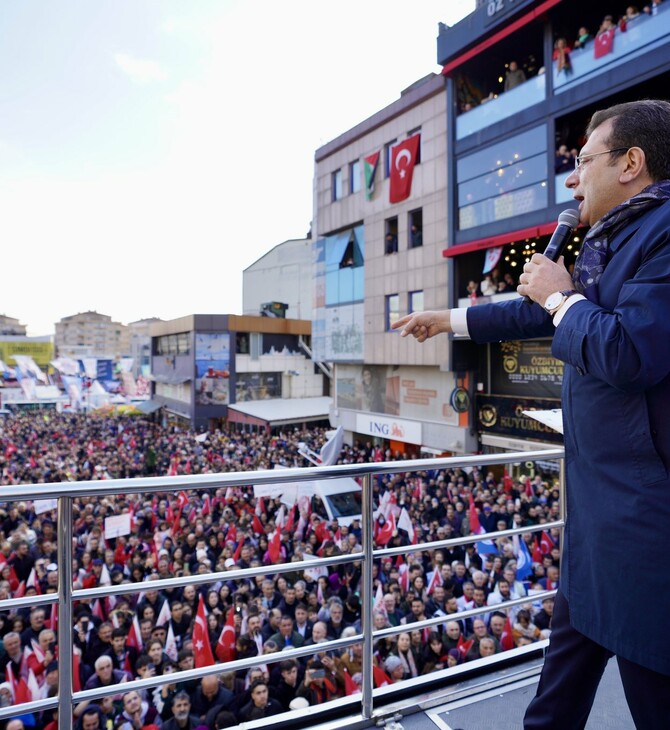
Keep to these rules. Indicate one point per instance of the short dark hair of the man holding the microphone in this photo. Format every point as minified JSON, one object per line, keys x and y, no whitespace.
{"x":644,"y":124}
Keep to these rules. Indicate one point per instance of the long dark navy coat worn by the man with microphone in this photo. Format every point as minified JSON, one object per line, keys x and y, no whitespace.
{"x":616,"y":412}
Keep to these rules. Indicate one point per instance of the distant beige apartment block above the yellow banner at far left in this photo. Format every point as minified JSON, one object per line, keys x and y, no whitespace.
{"x":90,"y":334}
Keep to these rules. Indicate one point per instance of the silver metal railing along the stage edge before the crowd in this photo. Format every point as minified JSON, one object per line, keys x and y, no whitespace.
{"x":66,"y":594}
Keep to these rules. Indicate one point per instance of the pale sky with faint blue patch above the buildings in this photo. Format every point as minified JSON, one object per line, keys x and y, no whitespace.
{"x":151,"y":150}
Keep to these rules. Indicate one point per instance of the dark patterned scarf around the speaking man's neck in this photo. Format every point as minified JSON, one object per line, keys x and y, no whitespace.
{"x":592,"y":258}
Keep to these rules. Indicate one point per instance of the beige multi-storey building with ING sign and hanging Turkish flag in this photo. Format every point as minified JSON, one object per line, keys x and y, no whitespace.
{"x":380,"y":222}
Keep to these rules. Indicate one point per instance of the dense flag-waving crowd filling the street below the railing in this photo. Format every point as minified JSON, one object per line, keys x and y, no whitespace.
{"x":155,"y":632}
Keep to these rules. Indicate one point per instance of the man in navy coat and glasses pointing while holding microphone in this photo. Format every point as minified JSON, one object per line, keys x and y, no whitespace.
{"x":610,"y":326}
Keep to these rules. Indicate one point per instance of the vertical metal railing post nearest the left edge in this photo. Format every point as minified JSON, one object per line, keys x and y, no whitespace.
{"x":65,"y":612}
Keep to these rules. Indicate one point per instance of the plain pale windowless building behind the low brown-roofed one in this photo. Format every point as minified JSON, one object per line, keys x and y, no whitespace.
{"x":283,"y":274}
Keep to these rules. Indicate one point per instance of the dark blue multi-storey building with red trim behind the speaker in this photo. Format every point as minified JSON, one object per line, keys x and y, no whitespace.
{"x":506,"y":176}
